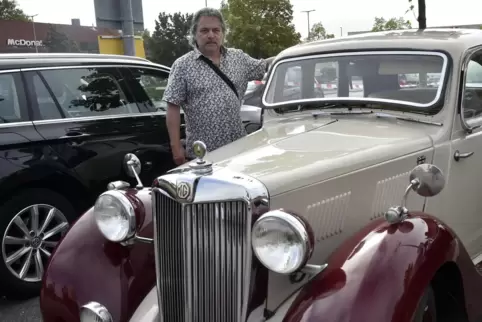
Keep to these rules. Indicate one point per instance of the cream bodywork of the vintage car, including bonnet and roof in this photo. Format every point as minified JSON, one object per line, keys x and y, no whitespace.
{"x":341,"y":172}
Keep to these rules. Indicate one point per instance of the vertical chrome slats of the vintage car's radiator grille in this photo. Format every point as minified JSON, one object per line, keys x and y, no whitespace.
{"x":202,"y":254}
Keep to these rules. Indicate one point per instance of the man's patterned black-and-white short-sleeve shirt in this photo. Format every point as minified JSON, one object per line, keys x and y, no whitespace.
{"x":212,"y":111}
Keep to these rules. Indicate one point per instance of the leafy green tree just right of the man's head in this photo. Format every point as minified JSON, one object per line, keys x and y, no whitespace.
{"x":261,"y":28}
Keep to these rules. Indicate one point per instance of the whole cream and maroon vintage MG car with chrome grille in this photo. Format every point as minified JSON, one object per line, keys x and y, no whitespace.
{"x":357,"y":206}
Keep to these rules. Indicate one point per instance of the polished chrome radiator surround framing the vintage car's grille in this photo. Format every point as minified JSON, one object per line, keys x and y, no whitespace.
{"x":222,"y":185}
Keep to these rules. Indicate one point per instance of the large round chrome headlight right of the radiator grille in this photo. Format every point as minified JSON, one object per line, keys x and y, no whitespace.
{"x":281,"y":242}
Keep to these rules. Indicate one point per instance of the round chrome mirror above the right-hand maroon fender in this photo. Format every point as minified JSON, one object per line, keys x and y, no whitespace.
{"x":427,"y":180}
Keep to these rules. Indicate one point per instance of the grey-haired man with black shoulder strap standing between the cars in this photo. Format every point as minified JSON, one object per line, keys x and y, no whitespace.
{"x":211,"y":105}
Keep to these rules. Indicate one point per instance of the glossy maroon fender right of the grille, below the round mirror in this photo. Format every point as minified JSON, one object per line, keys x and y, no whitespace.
{"x":380,"y":273}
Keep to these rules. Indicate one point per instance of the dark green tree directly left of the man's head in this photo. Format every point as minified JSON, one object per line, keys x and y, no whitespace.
{"x":169,"y":40}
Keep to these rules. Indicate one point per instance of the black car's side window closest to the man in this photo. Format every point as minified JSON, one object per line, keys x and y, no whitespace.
{"x":148,"y":86}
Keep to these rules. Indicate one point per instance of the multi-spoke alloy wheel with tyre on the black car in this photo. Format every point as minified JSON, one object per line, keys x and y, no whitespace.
{"x":16,"y":282}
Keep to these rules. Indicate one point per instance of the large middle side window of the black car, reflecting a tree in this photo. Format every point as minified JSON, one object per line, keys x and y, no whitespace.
{"x":82,"y":92}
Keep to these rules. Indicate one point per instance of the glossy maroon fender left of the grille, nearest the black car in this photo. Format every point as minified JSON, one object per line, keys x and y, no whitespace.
{"x":87,"y":267}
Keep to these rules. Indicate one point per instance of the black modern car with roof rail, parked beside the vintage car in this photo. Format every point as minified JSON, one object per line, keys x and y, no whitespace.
{"x":66,"y":123}
